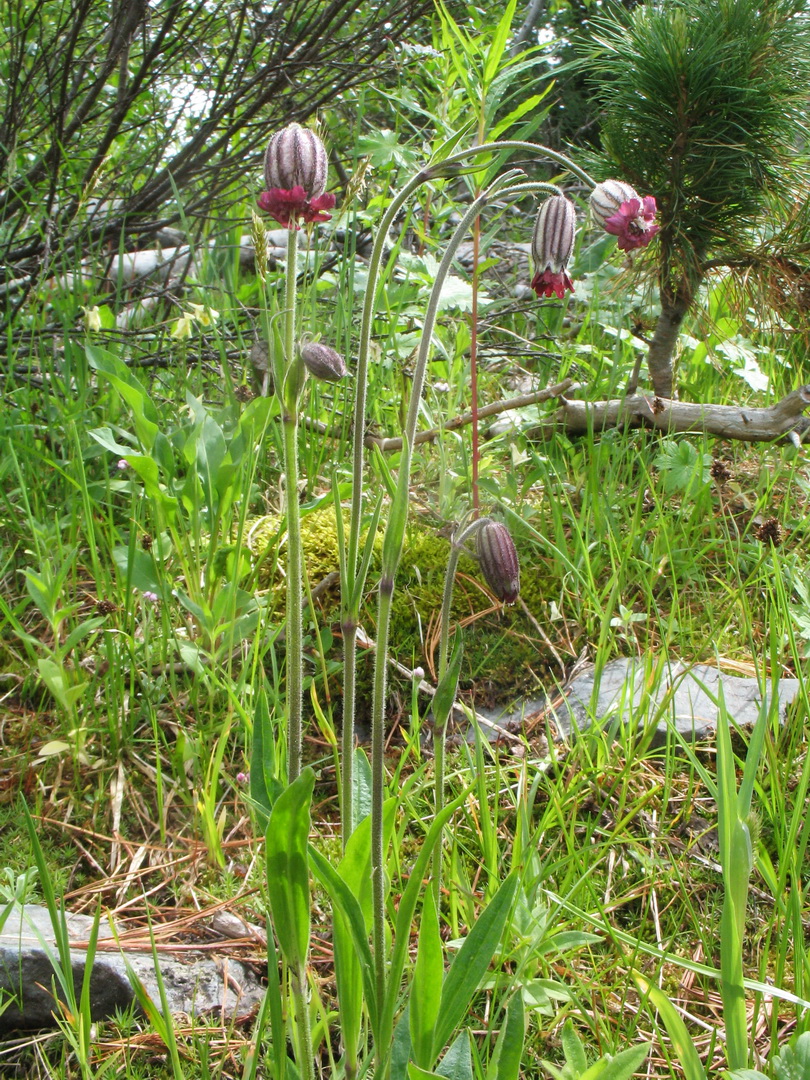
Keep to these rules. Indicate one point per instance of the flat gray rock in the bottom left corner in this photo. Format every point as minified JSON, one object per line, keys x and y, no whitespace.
{"x":194,"y":985}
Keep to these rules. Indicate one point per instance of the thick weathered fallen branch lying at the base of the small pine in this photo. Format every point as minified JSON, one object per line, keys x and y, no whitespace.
{"x":751,"y":425}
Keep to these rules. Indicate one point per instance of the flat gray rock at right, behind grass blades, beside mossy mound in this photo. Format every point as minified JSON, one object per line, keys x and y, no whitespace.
{"x":634,"y":692}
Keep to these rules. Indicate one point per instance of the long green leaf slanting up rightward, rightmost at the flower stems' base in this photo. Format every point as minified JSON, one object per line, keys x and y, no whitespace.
{"x":472,"y":962}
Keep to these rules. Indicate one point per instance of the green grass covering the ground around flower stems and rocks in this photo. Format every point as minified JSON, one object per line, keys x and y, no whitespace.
{"x":130,"y":757}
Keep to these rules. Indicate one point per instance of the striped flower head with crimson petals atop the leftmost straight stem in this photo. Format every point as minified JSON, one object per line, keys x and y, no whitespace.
{"x":295,"y":173}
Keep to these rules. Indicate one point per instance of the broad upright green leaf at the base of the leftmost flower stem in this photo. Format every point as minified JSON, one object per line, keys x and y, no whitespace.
{"x":288,"y":869}
